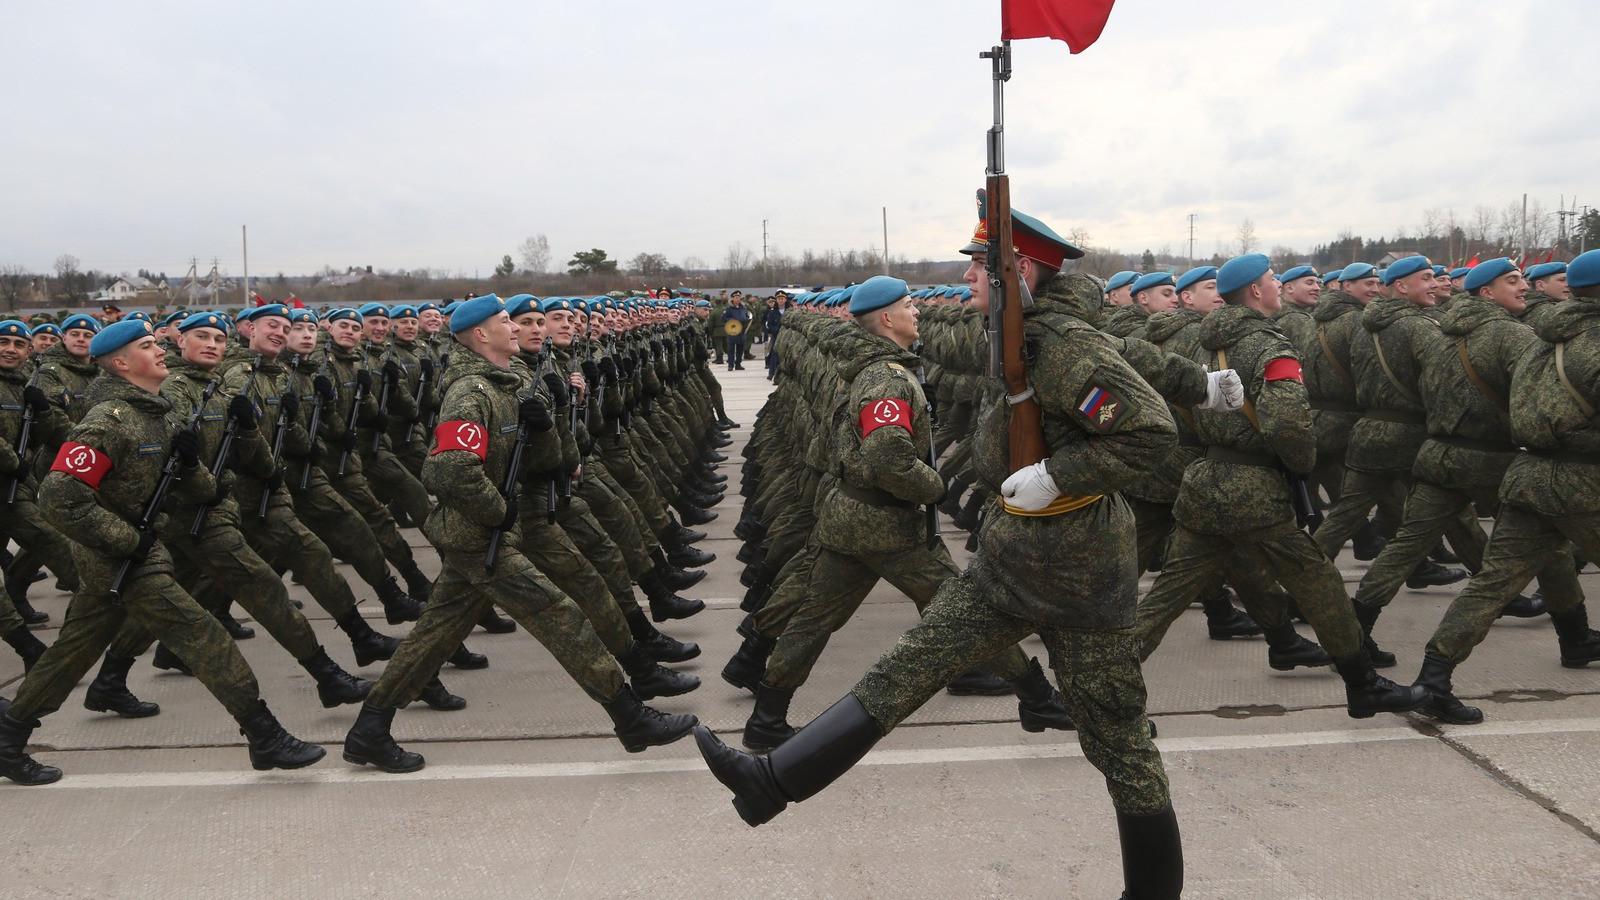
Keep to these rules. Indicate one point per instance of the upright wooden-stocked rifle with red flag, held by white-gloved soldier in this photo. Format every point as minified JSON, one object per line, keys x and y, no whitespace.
{"x":1007,"y":295}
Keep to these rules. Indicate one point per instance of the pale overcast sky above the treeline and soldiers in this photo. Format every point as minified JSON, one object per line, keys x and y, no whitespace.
{"x":406,"y":135}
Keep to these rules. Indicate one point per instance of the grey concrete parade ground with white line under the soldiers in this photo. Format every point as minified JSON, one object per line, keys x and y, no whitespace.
{"x":529,"y":795}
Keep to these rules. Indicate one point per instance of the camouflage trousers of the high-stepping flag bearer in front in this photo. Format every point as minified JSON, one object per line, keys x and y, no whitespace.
{"x":1098,"y":673}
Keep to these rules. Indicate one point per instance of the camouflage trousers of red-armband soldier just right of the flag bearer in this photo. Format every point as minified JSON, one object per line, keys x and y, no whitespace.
{"x":1252,"y":560}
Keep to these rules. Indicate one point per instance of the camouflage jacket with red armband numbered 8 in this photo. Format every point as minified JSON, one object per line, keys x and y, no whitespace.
{"x":129,"y":430}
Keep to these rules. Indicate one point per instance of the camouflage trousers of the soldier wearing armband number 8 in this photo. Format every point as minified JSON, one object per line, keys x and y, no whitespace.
{"x":158,"y":606}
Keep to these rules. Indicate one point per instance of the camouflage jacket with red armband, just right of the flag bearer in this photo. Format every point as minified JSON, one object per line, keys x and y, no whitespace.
{"x":1241,"y":488}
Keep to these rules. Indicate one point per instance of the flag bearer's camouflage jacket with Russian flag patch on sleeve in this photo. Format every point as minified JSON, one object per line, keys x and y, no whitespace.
{"x":1105,"y":428}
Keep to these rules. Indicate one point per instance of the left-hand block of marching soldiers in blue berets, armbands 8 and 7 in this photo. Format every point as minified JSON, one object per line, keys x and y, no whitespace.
{"x":554,"y":452}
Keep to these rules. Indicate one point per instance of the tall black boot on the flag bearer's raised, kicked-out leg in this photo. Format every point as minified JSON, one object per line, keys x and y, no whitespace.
{"x":798,"y":771}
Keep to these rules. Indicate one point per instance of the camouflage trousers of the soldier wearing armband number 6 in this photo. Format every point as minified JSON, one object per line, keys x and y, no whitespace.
{"x":833,"y":592}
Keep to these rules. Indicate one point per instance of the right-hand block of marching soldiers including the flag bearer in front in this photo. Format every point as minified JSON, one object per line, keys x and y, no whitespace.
{"x":1230,"y":427}
